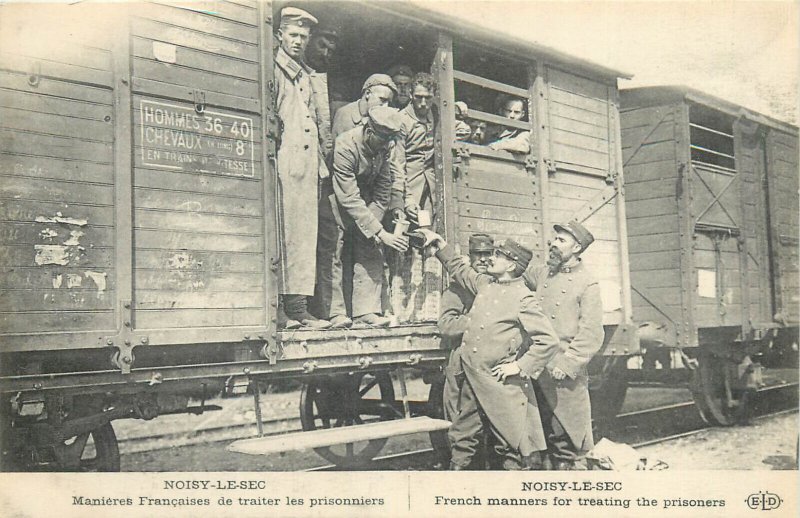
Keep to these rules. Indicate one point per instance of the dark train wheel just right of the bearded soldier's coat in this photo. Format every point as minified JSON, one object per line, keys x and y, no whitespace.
{"x":608,"y":385}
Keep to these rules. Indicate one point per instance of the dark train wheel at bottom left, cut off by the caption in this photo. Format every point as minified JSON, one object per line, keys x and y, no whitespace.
{"x":94,"y":451}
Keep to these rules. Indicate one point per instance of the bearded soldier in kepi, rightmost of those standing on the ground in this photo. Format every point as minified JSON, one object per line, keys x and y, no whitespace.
{"x":570,"y":297}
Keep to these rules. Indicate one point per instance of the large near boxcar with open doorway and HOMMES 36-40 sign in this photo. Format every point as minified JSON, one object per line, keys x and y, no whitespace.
{"x":139,"y":251}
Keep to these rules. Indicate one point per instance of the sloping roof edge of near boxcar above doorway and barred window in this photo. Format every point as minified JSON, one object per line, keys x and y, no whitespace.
{"x":481,"y":35}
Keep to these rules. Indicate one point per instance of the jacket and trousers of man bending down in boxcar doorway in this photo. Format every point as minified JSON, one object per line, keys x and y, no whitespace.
{"x":362,"y":184}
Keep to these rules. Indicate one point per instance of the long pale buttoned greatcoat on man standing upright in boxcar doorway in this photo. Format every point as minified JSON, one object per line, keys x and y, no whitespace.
{"x":300,"y":165}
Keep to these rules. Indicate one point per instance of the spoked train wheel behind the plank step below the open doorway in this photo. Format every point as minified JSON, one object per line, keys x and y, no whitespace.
{"x":347,"y":401}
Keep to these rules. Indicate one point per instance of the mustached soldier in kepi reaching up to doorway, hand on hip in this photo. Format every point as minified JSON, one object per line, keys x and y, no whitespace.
{"x":507,"y":341}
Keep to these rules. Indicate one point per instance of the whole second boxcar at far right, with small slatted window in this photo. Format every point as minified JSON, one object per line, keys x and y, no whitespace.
{"x":712,"y":205}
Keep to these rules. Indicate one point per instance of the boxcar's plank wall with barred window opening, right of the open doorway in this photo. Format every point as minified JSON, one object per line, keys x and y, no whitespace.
{"x":572,"y":172}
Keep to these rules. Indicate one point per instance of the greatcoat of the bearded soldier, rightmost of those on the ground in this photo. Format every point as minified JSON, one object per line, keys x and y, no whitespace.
{"x":571,"y":299}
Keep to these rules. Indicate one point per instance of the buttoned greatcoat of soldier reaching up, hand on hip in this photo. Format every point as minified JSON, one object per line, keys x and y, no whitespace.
{"x":504,"y":324}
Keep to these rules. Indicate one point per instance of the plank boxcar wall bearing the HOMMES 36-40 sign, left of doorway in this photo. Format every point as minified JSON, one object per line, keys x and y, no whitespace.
{"x":133,"y":192}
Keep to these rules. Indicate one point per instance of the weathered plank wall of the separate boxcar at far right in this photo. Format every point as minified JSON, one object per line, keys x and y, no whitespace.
{"x":687,"y":271}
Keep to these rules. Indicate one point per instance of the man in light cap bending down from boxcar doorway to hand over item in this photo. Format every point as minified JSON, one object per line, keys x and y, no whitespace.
{"x":362,"y":182}
